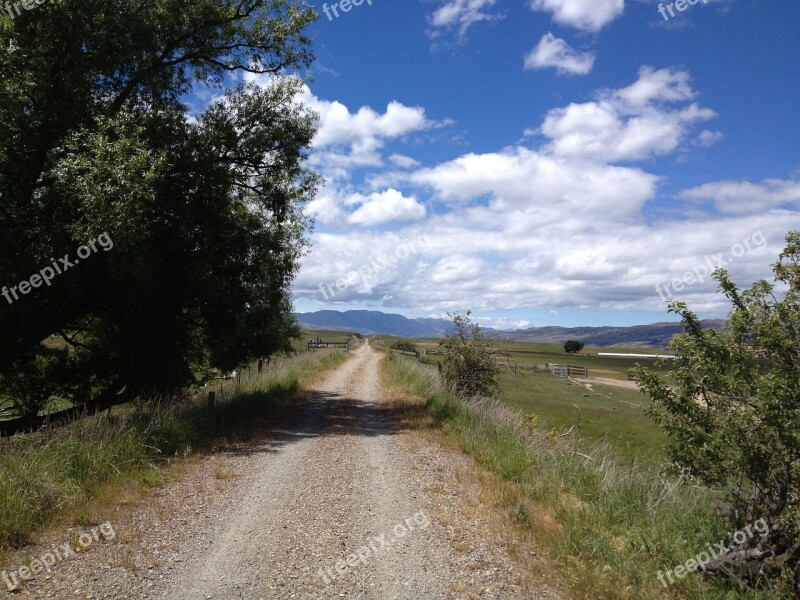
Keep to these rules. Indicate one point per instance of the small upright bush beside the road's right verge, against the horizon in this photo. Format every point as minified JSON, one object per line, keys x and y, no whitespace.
{"x":468,"y":368}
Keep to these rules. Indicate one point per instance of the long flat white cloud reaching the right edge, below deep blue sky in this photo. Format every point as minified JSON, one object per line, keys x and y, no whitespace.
{"x":744,"y":197}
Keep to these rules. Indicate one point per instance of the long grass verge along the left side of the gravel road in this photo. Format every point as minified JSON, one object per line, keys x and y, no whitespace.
{"x":49,"y":476}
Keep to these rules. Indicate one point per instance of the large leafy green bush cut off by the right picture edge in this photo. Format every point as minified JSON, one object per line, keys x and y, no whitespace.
{"x":732,"y":411}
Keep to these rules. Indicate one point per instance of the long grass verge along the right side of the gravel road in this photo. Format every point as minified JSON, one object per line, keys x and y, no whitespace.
{"x":607,"y":526}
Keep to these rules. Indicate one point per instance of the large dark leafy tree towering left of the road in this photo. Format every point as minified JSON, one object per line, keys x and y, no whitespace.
{"x":204,"y":211}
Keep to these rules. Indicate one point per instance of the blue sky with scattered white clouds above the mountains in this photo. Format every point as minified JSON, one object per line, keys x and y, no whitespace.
{"x":550,"y":162}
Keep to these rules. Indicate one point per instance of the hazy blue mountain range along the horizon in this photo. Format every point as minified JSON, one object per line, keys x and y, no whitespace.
{"x":370,"y":322}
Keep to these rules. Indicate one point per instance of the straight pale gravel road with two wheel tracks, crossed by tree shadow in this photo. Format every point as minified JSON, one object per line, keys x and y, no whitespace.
{"x":339,"y":505}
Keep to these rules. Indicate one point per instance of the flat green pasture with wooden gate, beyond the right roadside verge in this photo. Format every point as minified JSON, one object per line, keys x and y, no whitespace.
{"x":603,"y":413}
